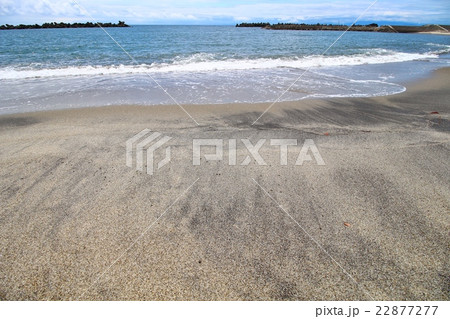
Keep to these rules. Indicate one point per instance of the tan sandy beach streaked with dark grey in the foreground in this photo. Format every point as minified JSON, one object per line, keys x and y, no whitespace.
{"x":77,"y":224}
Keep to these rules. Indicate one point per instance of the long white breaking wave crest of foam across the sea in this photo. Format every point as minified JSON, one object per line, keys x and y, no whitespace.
{"x":208,"y":62}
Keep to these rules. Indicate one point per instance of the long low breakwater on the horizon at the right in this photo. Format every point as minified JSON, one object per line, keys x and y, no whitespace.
{"x":430,"y":28}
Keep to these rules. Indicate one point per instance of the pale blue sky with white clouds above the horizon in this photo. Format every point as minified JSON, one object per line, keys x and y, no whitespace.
{"x":227,"y":12}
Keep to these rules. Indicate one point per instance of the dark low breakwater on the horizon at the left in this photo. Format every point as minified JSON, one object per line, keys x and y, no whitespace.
{"x":62,"y":25}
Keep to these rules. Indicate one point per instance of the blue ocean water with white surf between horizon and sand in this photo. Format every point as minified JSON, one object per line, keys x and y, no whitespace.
{"x":66,"y":68}
